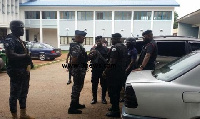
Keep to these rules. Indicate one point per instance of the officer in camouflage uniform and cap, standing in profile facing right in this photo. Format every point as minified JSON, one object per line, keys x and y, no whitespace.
{"x":79,"y":63}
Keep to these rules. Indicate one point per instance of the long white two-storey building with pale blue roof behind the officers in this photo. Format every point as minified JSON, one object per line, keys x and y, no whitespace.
{"x":54,"y":22}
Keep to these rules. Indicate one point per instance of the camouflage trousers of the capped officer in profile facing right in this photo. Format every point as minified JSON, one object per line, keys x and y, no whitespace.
{"x":78,"y":79}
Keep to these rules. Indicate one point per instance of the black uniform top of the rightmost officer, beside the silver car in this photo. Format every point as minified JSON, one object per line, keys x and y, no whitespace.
{"x":151,"y":48}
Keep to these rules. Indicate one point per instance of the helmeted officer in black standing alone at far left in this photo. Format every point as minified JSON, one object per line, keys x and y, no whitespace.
{"x":18,"y":66}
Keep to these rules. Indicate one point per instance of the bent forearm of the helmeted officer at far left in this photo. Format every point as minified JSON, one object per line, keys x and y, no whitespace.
{"x":14,"y":56}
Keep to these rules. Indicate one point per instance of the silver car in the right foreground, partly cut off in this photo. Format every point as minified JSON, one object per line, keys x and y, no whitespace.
{"x":170,"y":92}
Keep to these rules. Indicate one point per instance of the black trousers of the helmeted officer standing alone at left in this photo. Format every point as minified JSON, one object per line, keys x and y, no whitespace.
{"x":19,"y":85}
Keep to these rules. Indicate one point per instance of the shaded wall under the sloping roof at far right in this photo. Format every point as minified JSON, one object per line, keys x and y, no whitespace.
{"x":187,"y":30}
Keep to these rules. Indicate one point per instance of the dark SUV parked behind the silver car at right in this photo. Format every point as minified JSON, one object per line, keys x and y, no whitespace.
{"x":171,"y":47}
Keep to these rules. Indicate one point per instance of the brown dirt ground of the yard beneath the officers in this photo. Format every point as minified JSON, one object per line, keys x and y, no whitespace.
{"x":49,"y":95}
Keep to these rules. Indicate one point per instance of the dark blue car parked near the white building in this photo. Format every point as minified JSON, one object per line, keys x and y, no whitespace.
{"x":43,"y":51}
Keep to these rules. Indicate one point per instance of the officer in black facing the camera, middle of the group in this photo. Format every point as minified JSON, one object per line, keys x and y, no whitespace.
{"x":98,"y":57}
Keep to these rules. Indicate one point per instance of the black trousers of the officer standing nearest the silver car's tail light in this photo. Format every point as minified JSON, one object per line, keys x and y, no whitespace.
{"x":114,"y":94}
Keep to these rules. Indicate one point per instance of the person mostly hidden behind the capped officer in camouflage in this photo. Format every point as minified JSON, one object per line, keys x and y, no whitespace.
{"x":69,"y":62}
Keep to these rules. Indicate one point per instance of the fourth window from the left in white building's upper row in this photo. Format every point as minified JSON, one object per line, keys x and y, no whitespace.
{"x":85,"y":15}
